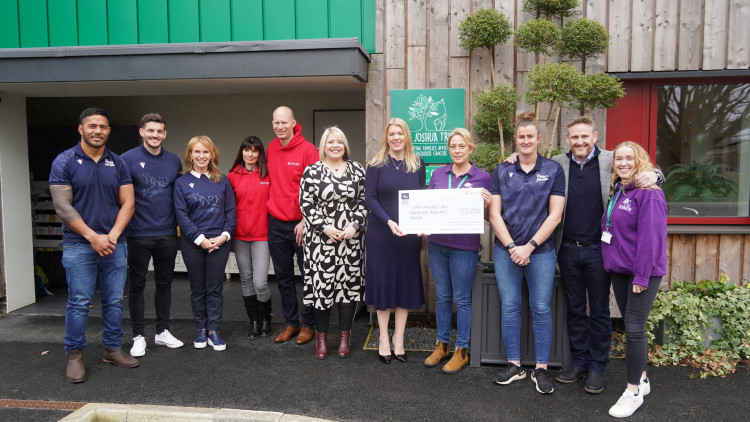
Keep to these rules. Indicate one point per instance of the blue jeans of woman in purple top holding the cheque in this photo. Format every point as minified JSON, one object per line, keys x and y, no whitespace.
{"x":453,"y":271}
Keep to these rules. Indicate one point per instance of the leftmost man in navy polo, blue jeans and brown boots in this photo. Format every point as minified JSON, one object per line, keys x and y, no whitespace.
{"x":93,"y":195}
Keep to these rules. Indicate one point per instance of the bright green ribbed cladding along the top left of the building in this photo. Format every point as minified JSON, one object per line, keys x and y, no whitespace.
{"x":42,"y":23}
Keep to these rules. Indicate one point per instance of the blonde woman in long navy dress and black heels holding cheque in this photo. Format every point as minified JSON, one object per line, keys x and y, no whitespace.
{"x":393,"y":275}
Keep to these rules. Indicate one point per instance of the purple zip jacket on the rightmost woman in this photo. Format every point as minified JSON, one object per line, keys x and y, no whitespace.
{"x":639,"y":234}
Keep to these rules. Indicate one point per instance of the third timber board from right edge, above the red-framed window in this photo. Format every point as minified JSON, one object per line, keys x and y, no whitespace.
{"x":689,"y":48}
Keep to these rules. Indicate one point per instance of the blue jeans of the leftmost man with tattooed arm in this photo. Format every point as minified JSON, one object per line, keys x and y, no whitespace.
{"x":83,"y":267}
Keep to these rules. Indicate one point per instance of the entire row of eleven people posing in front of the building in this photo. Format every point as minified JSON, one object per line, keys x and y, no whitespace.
{"x":597,"y":217}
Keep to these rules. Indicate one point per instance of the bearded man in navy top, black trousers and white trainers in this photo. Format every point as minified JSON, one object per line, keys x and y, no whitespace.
{"x":152,"y":232}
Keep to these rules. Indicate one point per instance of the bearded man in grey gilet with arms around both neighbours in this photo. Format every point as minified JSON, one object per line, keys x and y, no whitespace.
{"x":588,"y":173}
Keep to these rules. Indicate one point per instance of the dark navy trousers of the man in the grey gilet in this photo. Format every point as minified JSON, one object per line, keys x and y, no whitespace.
{"x":585,"y":281}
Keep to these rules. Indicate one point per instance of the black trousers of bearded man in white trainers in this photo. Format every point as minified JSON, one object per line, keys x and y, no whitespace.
{"x":163,"y":250}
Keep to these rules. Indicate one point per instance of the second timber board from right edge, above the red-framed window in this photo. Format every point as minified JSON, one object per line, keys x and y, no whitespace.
{"x":715,"y":35}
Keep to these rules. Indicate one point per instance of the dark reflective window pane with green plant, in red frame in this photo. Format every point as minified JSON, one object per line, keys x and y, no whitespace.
{"x":703,"y":147}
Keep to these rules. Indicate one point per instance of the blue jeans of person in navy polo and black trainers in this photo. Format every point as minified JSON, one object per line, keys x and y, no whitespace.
{"x":540,"y":276}
